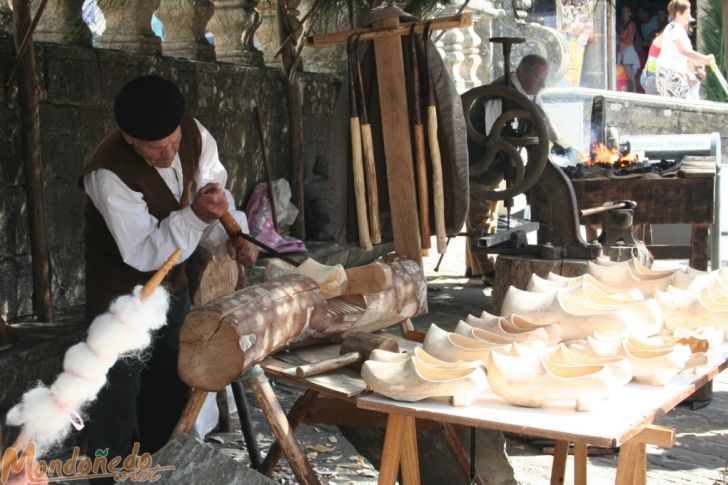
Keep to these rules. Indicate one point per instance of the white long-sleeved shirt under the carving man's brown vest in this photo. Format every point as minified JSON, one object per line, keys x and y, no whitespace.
{"x":146,"y":242}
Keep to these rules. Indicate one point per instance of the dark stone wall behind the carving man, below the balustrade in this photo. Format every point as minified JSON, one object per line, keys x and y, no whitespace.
{"x":78,"y":85}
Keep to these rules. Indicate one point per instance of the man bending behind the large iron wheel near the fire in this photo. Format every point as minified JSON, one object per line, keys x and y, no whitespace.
{"x":529,"y":79}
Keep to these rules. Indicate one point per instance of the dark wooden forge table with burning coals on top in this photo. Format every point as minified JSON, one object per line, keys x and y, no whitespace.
{"x":685,"y":199}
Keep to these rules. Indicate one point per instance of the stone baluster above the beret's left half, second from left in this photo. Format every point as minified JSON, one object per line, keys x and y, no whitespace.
{"x":129,"y":26}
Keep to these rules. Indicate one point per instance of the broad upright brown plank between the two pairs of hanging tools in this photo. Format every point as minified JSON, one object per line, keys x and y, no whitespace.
{"x":397,"y":143}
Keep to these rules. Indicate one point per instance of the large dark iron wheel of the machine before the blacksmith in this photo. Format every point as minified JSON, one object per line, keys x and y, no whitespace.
{"x":533,"y":138}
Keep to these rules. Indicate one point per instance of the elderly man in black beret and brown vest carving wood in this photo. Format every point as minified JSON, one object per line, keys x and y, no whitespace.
{"x":152,"y":185}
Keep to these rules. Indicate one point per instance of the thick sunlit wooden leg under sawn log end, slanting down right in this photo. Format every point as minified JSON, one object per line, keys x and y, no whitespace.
{"x":278,"y":422}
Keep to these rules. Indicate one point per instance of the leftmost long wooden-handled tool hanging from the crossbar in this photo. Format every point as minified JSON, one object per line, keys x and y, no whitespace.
{"x":356,"y":156}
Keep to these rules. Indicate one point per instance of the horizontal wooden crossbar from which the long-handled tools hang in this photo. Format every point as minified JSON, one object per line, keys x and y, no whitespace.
{"x":459,"y":21}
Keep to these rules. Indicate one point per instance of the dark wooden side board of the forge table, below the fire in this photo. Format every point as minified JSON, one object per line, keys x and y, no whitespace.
{"x":659,"y":200}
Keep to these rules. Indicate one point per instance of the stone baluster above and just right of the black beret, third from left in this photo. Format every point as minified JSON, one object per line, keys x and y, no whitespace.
{"x":184,"y":28}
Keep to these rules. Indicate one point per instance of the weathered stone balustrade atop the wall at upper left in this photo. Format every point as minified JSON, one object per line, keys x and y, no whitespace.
{"x":128,"y":27}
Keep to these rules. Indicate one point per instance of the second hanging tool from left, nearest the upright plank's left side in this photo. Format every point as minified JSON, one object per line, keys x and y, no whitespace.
{"x":370,"y":169}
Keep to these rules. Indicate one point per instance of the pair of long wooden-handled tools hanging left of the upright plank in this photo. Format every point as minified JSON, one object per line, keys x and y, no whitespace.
{"x":362,"y":153}
